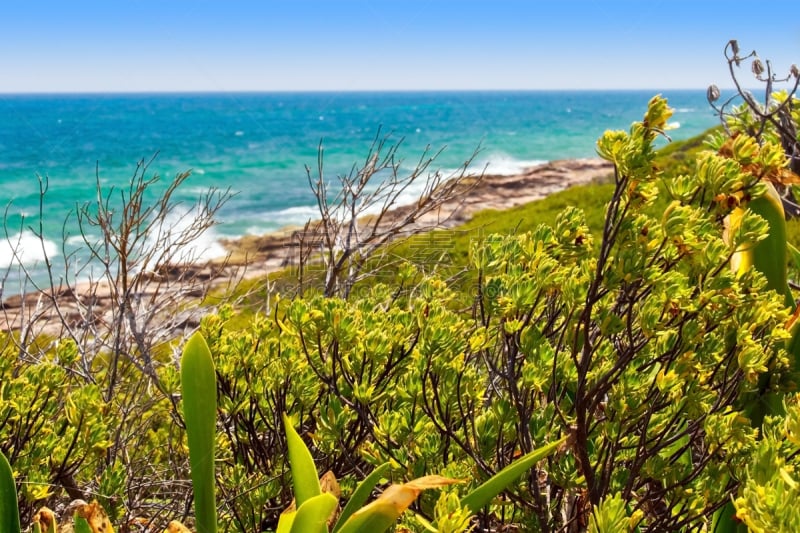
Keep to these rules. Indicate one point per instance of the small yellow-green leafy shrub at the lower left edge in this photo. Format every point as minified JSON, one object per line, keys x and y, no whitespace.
{"x":54,"y":425}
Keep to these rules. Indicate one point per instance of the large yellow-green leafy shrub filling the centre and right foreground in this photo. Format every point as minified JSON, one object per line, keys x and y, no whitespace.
{"x":638,"y":343}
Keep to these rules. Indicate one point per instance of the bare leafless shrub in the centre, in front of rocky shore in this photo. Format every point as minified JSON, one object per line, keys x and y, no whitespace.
{"x":359,"y":215}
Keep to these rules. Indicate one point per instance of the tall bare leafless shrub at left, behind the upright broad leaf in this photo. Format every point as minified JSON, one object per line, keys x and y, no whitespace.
{"x":138,"y":290}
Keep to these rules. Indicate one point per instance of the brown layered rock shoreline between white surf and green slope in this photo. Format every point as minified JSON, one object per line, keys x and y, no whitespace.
{"x":252,"y":257}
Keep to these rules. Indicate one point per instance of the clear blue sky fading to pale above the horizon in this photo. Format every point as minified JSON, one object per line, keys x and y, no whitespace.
{"x":270,"y":45}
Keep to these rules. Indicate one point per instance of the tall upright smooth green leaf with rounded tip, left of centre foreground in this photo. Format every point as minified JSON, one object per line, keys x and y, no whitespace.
{"x":198,"y":380}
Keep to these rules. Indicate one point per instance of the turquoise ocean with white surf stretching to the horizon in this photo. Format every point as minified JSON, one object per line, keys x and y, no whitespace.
{"x":258,"y":145}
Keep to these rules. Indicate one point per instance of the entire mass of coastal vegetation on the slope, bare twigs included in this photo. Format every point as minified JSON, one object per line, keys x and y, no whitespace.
{"x":621,"y":356}
